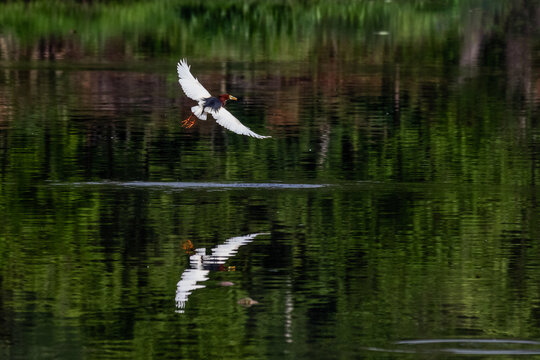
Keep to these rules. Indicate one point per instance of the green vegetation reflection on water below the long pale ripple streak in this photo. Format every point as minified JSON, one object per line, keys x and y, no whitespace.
{"x":401,"y":261}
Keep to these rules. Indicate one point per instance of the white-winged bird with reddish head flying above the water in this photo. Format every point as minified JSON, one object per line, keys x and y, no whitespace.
{"x":209,"y":104}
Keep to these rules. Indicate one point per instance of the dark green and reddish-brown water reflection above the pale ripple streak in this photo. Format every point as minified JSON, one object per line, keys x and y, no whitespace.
{"x":110,"y":128}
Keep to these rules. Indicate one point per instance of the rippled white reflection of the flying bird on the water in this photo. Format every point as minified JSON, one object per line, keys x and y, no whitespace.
{"x":201,"y":264}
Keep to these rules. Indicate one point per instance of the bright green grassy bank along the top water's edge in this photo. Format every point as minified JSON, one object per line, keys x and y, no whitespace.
{"x":235,"y":29}
